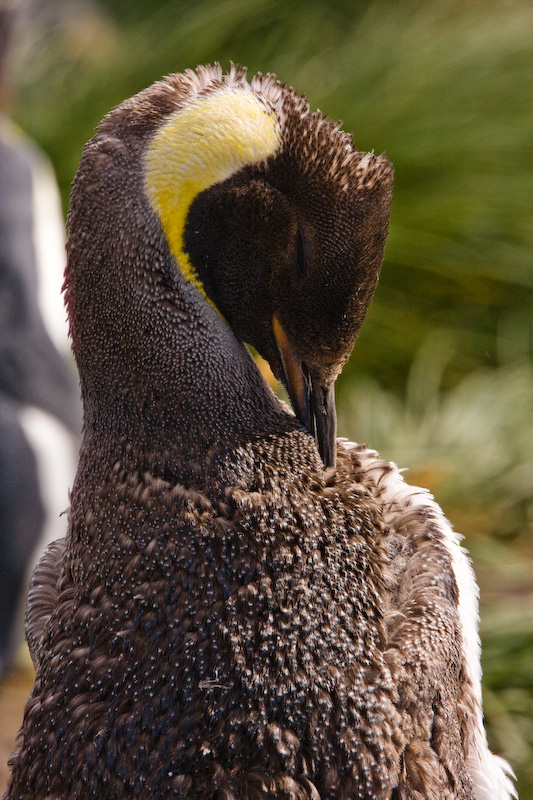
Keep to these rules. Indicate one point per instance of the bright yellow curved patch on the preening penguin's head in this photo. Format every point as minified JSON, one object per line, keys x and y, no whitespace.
{"x":199,"y":145}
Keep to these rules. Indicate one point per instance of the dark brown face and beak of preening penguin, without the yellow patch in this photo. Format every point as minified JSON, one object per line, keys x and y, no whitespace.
{"x":290,"y":248}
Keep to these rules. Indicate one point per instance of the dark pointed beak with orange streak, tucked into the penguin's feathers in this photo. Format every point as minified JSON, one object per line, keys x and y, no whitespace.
{"x":313,"y":402}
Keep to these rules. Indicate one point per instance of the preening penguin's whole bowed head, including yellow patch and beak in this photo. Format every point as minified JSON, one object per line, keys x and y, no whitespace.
{"x":271,"y":213}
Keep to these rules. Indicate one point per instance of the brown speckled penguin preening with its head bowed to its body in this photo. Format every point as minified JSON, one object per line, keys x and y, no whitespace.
{"x":244,"y":607}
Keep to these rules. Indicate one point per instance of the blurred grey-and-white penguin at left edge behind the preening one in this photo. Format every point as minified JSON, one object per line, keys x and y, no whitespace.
{"x":40,"y":413}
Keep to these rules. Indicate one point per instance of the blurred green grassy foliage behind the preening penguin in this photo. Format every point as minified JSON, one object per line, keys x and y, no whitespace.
{"x":441,"y":378}
